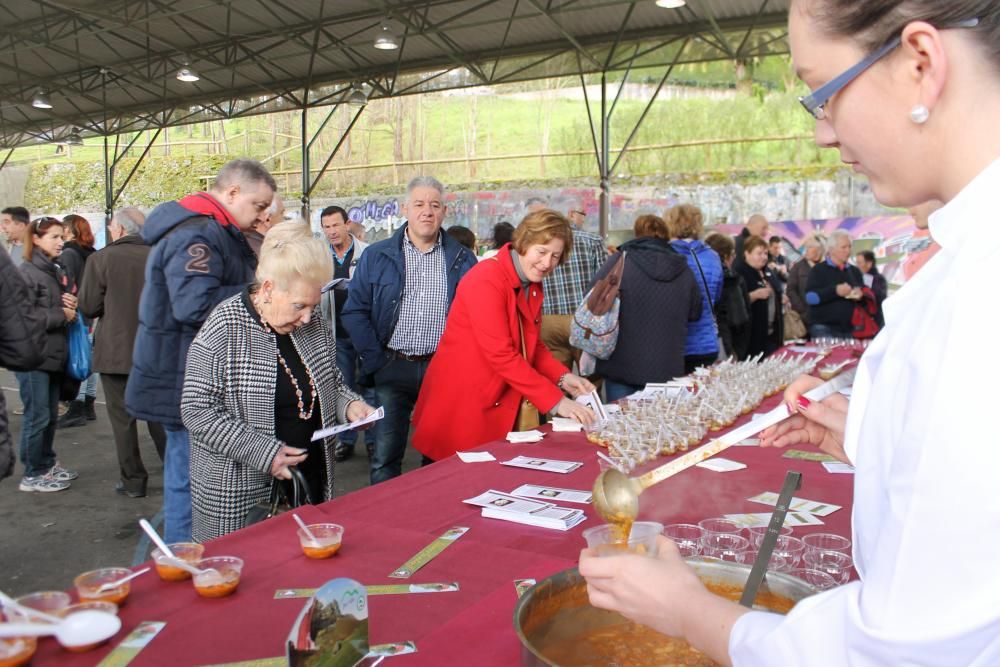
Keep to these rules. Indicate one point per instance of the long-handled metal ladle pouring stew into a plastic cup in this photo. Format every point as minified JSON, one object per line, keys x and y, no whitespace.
{"x":616,"y":496}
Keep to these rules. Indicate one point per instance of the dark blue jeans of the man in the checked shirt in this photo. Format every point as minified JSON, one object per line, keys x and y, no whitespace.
{"x":396,"y":388}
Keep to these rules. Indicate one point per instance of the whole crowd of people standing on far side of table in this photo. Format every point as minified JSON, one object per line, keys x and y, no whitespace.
{"x":202,"y":326}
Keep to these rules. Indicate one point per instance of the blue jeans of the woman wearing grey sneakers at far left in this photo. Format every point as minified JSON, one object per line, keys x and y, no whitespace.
{"x":40,"y":395}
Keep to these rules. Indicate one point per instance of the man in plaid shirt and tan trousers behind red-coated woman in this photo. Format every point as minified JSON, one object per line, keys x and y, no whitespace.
{"x":566,"y":286}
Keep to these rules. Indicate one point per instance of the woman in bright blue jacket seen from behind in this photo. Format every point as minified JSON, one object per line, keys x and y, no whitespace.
{"x":685,"y":222}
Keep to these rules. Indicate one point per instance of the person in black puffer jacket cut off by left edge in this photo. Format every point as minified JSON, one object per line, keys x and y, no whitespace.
{"x":22,"y":339}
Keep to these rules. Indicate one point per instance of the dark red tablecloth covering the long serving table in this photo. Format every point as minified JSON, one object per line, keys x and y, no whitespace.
{"x":387,"y":524}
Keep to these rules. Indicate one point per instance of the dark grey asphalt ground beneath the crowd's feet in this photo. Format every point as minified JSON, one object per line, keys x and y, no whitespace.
{"x":46,"y":539}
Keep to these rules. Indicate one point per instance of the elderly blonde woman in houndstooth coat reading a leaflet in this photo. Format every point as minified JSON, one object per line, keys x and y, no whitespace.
{"x":261,"y":378}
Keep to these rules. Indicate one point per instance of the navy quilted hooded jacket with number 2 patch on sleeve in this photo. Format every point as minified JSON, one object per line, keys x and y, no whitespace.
{"x":195,"y":264}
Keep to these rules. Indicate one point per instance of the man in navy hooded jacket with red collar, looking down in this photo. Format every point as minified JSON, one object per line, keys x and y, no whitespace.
{"x":200,"y":257}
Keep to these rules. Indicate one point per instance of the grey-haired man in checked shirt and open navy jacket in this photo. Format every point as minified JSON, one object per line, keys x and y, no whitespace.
{"x":396,"y":308}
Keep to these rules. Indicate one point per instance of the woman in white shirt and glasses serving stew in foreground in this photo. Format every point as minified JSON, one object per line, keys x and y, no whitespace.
{"x":909,"y":92}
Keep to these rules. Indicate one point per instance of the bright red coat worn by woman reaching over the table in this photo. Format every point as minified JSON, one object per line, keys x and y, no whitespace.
{"x":474,"y":384}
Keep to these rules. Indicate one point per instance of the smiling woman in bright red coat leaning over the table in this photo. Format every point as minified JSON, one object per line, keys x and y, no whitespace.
{"x":480,"y":372}
